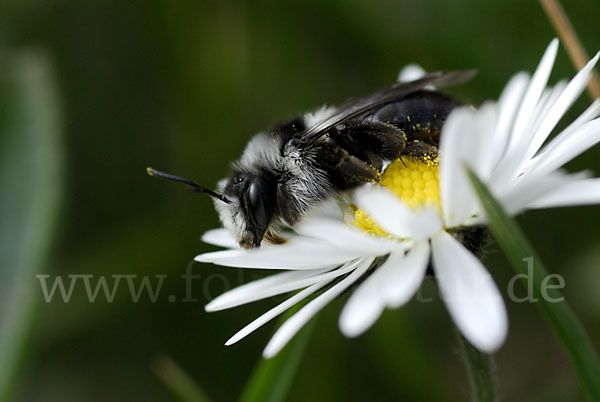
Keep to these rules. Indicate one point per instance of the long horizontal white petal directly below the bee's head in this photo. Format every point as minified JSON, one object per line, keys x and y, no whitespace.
{"x":298,"y":253}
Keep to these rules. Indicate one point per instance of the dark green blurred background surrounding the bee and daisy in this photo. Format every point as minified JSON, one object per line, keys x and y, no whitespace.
{"x":93,"y":92}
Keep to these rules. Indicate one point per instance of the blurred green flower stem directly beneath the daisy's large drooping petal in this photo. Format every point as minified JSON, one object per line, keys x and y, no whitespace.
{"x":481,"y":370}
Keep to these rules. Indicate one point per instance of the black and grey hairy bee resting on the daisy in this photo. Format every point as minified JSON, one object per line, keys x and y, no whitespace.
{"x":287,"y":170}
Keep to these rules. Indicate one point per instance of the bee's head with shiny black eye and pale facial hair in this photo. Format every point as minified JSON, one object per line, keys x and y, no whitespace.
{"x":250,"y":212}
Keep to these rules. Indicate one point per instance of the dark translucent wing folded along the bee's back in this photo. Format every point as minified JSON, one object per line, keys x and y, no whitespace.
{"x":355,"y":108}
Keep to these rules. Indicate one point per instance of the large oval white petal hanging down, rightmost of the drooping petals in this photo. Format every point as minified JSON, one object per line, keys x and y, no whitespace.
{"x":472,"y":298}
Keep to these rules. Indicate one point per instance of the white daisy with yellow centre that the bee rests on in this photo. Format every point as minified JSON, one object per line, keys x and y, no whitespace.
{"x":424,"y":214}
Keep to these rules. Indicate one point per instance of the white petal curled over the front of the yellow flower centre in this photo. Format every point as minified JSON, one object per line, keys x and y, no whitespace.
{"x":395,"y":217}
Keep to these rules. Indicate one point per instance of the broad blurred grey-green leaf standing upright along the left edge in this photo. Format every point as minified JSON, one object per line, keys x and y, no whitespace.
{"x":30,"y":179}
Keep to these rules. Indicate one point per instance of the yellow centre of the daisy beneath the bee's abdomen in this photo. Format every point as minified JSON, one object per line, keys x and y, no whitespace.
{"x":415,"y":181}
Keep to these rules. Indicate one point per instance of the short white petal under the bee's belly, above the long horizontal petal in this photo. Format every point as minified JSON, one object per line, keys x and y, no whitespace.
{"x":343,"y":235}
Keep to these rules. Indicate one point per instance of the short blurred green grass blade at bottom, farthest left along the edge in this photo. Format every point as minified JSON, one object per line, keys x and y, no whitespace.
{"x":178,"y":381}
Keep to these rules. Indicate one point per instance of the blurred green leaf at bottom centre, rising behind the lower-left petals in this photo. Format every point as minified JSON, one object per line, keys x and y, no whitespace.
{"x":272,"y":378}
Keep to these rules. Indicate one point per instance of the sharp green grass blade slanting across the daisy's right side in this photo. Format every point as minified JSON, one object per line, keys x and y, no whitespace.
{"x":558,"y":314}
